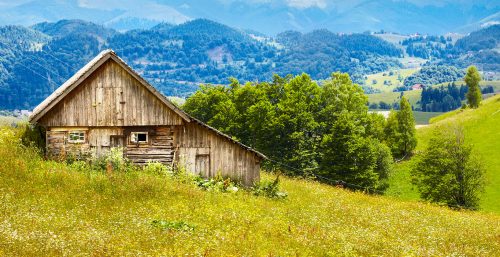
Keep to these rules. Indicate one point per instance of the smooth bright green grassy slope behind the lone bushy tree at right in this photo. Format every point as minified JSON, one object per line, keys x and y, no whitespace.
{"x":482,"y":130}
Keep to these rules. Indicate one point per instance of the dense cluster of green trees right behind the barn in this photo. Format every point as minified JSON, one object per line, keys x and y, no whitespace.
{"x":319,"y":130}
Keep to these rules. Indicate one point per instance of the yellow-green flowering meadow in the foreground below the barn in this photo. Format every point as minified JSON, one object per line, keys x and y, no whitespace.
{"x":51,"y":208}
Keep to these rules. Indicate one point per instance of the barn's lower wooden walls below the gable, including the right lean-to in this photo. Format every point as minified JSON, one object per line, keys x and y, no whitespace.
{"x":189,"y":144}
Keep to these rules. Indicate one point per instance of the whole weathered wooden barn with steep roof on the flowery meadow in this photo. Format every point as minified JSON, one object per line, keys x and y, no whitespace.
{"x":107,"y":104}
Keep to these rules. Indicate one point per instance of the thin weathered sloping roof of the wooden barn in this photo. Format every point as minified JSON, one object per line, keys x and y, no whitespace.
{"x":93,"y":65}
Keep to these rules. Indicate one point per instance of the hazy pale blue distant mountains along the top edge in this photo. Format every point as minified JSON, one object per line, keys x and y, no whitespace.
{"x":270,"y":17}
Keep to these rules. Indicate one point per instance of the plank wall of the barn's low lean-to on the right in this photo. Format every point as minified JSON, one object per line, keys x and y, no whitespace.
{"x":198,"y":145}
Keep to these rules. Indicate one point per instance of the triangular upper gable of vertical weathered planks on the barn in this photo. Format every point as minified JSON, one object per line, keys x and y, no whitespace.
{"x":110,"y":97}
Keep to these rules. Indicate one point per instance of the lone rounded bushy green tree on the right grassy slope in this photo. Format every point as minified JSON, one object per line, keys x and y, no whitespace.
{"x":448,"y":171}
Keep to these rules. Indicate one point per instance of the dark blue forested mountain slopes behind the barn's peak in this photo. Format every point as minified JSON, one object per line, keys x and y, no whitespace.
{"x":178,"y":58}
